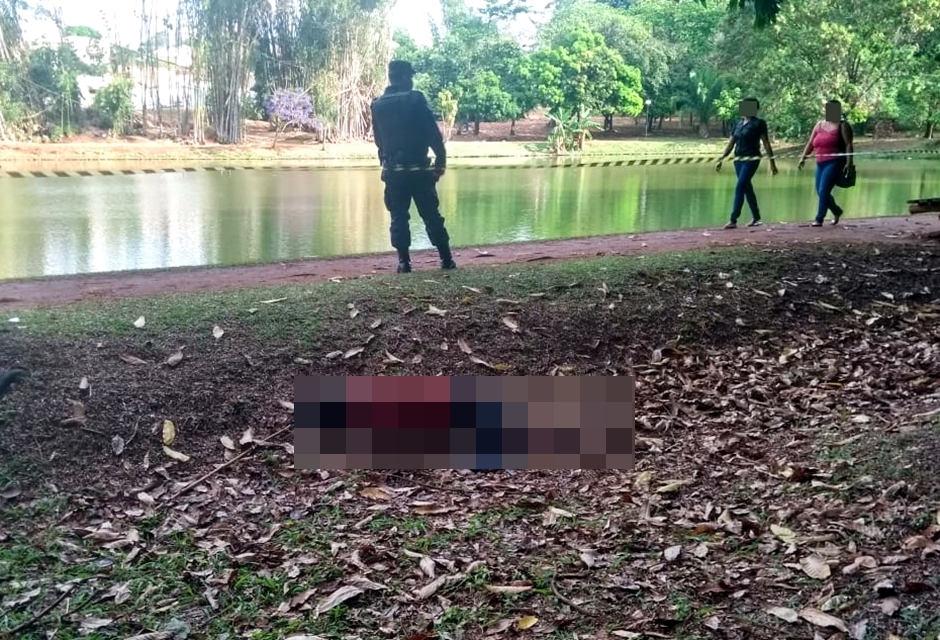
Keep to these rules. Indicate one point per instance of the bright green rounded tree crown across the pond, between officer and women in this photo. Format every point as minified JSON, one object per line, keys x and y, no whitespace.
{"x":583,"y":74}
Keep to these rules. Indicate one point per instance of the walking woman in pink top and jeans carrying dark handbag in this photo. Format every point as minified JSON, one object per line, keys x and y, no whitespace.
{"x":831,"y":140}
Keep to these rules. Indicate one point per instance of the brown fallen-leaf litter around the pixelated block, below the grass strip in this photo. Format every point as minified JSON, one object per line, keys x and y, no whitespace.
{"x":763,"y":492}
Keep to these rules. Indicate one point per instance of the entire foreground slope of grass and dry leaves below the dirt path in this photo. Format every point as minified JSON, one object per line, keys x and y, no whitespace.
{"x":785,"y":485}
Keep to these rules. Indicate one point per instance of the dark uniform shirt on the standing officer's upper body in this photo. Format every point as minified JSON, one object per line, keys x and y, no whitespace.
{"x":404,"y":127}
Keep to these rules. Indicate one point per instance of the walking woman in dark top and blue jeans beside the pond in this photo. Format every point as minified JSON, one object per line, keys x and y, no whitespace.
{"x":746,"y":137}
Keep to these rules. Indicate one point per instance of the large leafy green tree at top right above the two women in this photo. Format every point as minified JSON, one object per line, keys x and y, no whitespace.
{"x":824,"y":49}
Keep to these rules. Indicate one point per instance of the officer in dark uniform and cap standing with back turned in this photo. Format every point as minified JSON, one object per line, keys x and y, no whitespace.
{"x":404,"y":127}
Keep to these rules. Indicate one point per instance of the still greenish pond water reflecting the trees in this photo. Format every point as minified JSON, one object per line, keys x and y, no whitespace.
{"x":56,"y":226}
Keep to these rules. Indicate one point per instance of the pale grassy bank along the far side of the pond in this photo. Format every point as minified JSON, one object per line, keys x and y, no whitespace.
{"x":20,"y":156}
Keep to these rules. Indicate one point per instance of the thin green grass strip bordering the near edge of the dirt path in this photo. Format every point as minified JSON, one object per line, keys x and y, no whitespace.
{"x":306,"y":308}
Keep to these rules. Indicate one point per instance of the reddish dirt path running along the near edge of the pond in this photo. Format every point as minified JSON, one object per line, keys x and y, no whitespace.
{"x":22,"y":294}
